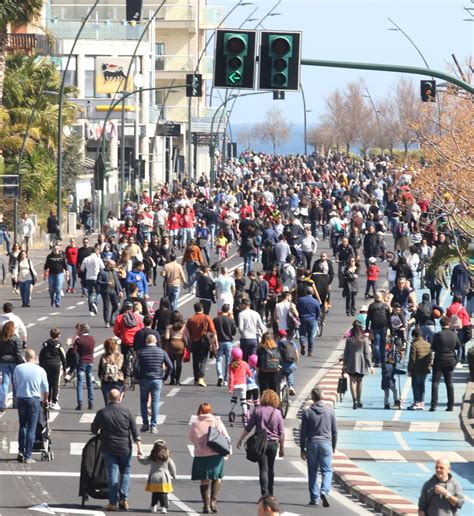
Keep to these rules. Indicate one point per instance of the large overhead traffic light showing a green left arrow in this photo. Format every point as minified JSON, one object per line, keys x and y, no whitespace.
{"x":234,"y":59}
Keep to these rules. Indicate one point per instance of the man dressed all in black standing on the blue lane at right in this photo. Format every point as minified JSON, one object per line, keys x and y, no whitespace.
{"x":444,"y":346}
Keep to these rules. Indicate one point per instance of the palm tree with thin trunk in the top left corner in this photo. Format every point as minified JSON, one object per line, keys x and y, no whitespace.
{"x":14,"y":12}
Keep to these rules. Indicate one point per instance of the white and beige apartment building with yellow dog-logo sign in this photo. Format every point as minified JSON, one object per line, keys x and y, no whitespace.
{"x":155,"y":120}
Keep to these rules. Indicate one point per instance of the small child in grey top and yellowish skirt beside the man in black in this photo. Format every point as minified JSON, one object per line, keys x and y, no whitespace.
{"x":162,"y":471}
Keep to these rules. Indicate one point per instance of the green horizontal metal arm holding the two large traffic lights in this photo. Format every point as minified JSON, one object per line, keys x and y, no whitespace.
{"x":391,"y":68}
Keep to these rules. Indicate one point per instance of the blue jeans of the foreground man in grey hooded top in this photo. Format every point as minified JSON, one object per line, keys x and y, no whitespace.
{"x":319,"y":455}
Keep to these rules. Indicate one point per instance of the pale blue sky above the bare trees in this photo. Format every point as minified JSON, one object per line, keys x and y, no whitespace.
{"x":356,"y":31}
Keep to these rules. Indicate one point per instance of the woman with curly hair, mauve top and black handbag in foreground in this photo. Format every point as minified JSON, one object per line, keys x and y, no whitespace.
{"x":266,"y":419}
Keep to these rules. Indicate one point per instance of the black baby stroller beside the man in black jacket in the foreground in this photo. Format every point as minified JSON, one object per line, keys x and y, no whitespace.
{"x":93,"y":481}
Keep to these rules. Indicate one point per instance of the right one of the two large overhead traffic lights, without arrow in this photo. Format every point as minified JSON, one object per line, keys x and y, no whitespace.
{"x":279,"y":61}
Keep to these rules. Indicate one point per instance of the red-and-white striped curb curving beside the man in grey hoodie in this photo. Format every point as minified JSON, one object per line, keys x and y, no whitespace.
{"x":354,"y":480}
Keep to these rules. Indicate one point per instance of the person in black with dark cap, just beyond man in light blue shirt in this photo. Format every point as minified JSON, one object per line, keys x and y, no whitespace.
{"x":52,"y":359}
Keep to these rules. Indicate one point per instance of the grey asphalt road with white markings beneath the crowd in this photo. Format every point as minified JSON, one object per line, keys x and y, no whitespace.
{"x":56,"y":483}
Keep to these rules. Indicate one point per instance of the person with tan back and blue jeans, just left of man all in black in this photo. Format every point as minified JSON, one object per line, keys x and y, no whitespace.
{"x":419,"y":366}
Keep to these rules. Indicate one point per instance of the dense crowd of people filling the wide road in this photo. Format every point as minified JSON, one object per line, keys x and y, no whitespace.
{"x":273,"y":212}
